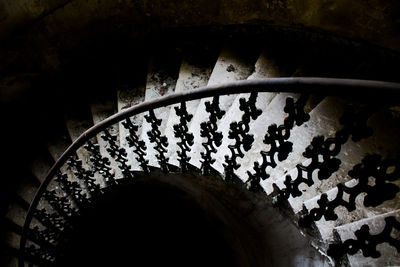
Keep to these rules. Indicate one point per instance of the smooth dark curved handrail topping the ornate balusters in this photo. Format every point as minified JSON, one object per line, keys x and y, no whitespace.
{"x":378,"y":90}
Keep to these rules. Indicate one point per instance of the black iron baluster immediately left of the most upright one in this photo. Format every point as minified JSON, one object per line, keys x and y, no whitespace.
{"x":161,"y":141}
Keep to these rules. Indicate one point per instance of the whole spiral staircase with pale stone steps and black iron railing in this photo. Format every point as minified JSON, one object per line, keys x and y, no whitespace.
{"x":316,"y":158}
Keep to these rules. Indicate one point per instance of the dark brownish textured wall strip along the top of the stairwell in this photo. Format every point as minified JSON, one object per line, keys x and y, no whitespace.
{"x":375,"y":21}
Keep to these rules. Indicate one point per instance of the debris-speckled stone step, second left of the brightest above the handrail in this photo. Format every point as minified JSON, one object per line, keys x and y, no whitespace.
{"x":161,"y":81}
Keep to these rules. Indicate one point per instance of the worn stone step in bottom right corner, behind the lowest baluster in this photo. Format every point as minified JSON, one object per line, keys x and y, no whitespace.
{"x":388,"y":254}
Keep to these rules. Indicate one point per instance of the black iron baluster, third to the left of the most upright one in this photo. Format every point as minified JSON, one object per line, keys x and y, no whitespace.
{"x":118,"y":153}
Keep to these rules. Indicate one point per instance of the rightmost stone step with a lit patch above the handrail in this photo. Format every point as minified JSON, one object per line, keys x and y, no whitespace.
{"x":267,"y":66}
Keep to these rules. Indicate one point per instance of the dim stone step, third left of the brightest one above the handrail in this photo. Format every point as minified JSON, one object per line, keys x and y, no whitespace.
{"x":127,"y":98}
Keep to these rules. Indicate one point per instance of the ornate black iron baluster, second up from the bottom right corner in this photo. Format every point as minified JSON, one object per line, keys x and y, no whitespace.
{"x":373,"y":177}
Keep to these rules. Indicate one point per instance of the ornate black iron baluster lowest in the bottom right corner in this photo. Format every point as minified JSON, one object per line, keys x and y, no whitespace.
{"x":367,"y":242}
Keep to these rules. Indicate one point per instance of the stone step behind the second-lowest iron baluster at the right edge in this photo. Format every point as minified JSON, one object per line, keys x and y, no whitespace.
{"x":381,"y":138}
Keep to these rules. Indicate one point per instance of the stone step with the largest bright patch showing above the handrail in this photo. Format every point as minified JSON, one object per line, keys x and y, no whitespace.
{"x":232,"y":65}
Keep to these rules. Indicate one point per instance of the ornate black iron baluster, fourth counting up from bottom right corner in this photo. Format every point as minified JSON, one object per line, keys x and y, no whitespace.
{"x":277,"y":137}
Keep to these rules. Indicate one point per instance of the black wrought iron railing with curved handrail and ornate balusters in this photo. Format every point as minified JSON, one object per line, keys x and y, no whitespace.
{"x":38,"y":240}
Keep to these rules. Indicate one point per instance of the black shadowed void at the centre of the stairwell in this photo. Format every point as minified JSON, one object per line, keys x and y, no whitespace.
{"x":147,"y":225}
